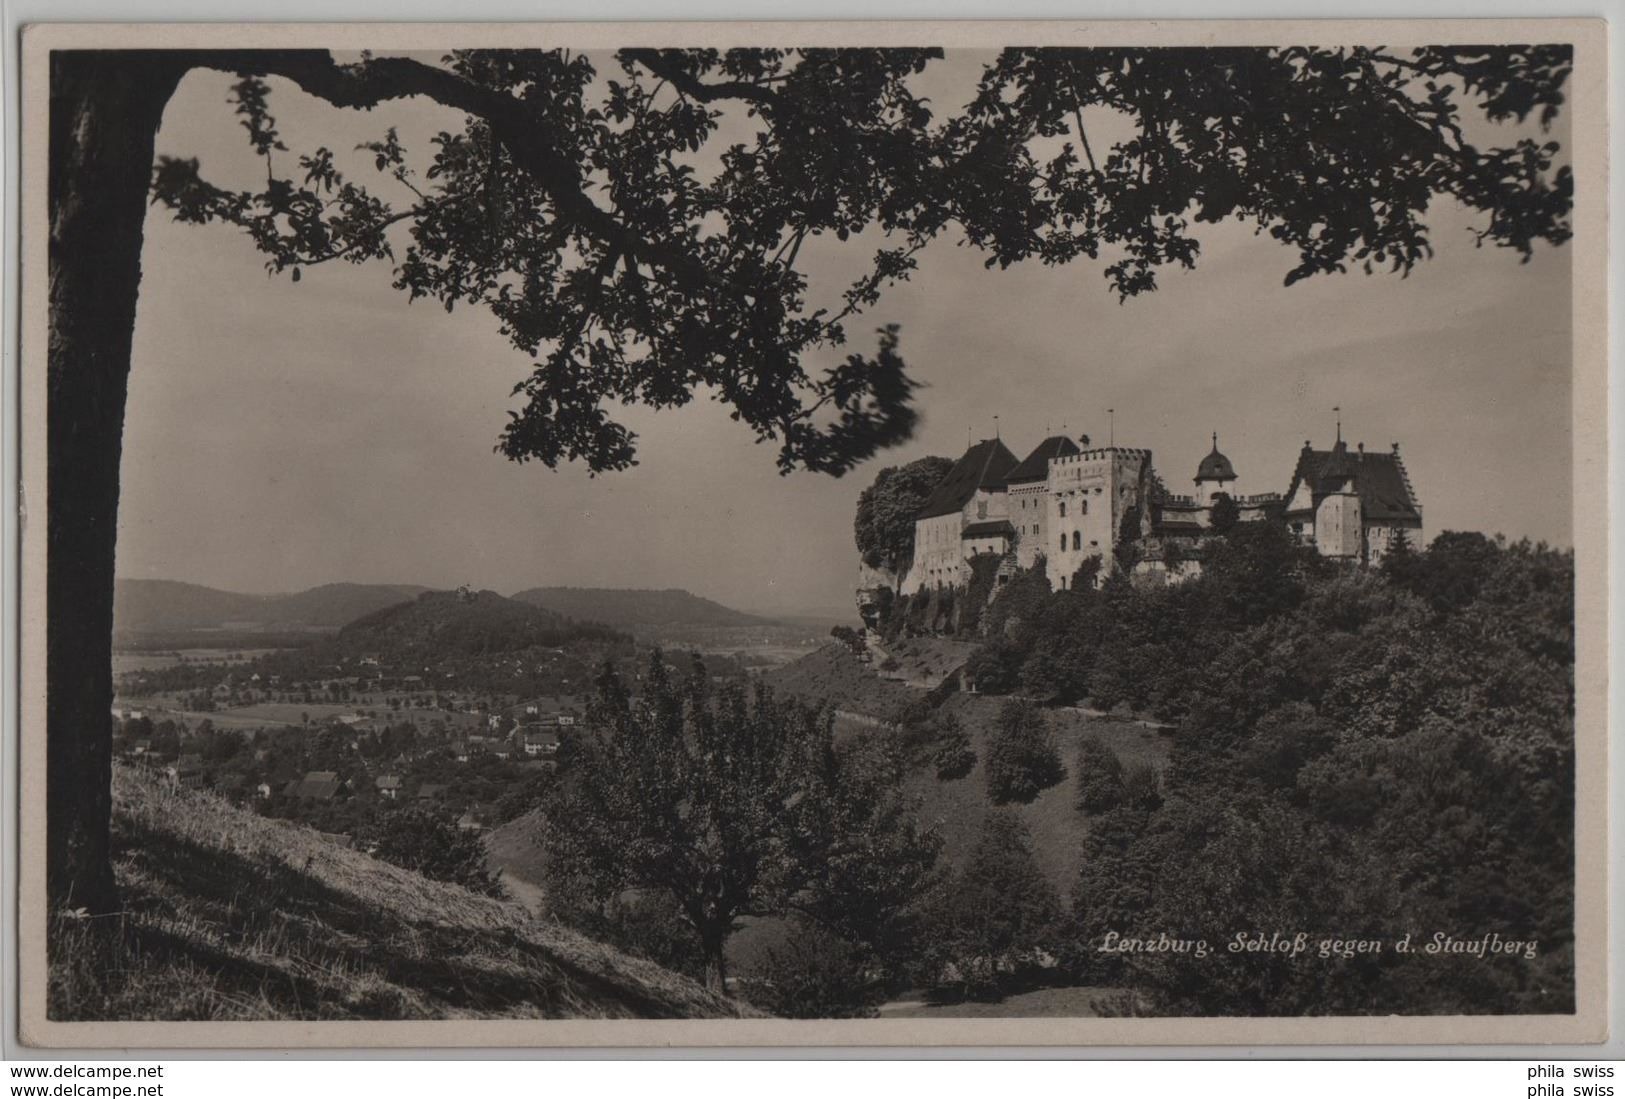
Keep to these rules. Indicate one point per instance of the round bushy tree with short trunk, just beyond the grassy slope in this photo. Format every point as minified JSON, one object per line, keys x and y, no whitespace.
{"x":730,"y":807}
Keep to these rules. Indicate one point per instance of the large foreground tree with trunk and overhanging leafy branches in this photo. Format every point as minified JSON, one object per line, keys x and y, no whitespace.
{"x":571,"y":207}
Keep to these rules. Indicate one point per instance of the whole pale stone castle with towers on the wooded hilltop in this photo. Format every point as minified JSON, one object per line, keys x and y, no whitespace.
{"x":1068,"y":502}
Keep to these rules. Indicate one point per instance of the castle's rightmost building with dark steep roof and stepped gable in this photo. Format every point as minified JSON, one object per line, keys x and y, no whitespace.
{"x":1353,"y":506}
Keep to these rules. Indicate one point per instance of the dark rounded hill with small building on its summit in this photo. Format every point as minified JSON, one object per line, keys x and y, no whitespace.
{"x":441,"y":625}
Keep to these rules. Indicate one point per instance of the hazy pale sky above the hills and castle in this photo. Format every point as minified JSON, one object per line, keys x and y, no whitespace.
{"x":287,"y":435}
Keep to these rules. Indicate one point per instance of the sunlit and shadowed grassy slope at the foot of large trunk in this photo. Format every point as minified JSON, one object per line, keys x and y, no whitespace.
{"x":230,"y":916}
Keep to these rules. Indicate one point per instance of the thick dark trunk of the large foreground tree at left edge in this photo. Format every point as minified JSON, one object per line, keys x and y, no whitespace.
{"x":105,"y":115}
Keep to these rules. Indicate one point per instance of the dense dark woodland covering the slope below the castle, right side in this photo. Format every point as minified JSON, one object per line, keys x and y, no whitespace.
{"x":1359,"y":755}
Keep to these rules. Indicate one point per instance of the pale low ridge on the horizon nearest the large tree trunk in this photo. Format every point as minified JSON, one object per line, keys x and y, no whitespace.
{"x":173,"y":606}
